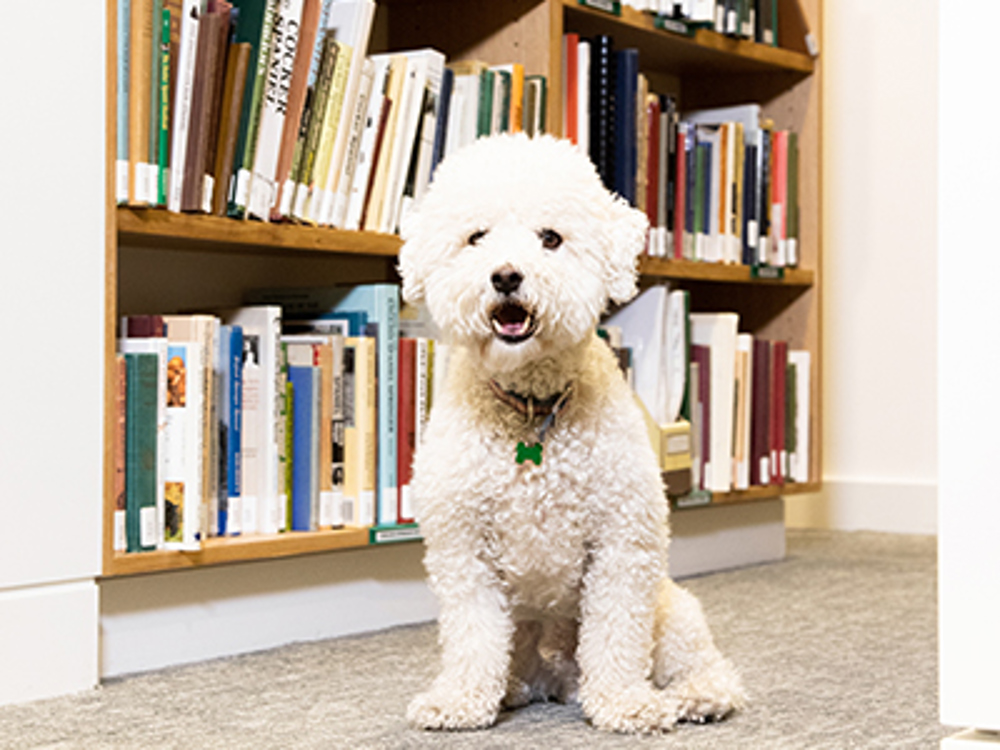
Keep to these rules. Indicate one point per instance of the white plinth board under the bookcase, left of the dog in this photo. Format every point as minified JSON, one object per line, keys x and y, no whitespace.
{"x":154,"y":621}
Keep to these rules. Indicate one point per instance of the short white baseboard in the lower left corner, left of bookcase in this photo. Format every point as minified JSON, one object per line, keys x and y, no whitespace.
{"x":48,"y":645}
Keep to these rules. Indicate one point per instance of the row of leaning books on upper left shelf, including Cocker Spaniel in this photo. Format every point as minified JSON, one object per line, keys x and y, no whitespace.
{"x":274,"y":110}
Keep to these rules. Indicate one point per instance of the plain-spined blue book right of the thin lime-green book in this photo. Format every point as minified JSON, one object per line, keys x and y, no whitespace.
{"x":305,"y":381}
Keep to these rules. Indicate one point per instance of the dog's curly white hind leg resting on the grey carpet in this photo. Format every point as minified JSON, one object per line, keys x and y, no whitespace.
{"x":686,"y":663}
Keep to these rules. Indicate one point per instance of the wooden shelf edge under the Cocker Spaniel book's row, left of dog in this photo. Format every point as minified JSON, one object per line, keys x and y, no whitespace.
{"x":156,"y":227}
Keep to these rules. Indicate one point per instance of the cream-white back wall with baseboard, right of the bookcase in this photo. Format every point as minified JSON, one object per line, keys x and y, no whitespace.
{"x":879,"y":315}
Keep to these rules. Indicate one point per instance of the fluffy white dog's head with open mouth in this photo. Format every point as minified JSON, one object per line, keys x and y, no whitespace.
{"x":517,"y":248}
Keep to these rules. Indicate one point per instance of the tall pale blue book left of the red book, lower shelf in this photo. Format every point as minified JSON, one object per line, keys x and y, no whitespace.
{"x":380,"y":302}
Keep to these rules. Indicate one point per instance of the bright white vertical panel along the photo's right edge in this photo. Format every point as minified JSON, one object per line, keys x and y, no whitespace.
{"x":969,"y":267}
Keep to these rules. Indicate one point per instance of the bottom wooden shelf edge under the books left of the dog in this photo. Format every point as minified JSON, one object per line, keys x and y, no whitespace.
{"x":236,"y":549}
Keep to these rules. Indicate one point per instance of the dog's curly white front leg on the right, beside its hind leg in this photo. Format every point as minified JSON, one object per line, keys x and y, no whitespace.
{"x":616,"y":641}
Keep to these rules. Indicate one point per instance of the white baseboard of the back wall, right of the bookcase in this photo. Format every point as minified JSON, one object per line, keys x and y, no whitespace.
{"x":867,"y":505}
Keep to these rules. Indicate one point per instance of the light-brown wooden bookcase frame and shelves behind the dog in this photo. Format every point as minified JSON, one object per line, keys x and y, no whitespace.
{"x":169,"y":262}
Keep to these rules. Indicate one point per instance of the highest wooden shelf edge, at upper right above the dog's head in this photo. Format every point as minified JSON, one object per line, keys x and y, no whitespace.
{"x":778,"y":58}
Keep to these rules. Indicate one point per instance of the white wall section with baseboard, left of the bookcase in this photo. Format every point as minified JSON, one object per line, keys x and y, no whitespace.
{"x":51,"y":326}
